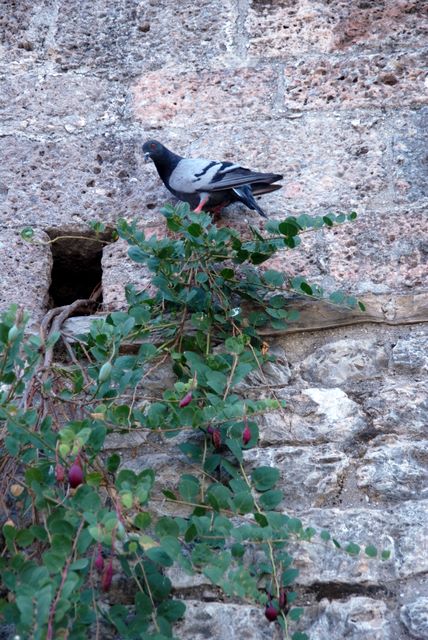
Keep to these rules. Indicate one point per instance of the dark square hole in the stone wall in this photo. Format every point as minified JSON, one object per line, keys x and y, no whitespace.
{"x":76,"y":269}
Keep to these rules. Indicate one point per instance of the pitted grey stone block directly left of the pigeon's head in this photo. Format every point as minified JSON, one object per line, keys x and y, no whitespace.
{"x":68,"y":181}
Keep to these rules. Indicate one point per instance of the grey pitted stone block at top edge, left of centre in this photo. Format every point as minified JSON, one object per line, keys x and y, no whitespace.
{"x":123,"y":38}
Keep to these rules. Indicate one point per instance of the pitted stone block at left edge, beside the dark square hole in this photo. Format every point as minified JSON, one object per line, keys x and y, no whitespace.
{"x":25,"y":273}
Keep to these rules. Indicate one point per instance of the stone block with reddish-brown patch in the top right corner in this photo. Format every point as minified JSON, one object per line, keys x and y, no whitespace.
{"x":284,"y":28}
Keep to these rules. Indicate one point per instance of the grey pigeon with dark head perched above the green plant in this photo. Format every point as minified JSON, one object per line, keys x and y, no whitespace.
{"x":207,"y":184}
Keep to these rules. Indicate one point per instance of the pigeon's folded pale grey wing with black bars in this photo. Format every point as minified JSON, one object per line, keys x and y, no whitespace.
{"x":202,"y":175}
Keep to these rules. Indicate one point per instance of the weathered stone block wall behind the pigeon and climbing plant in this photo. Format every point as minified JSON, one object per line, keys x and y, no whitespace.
{"x":330,"y":93}
